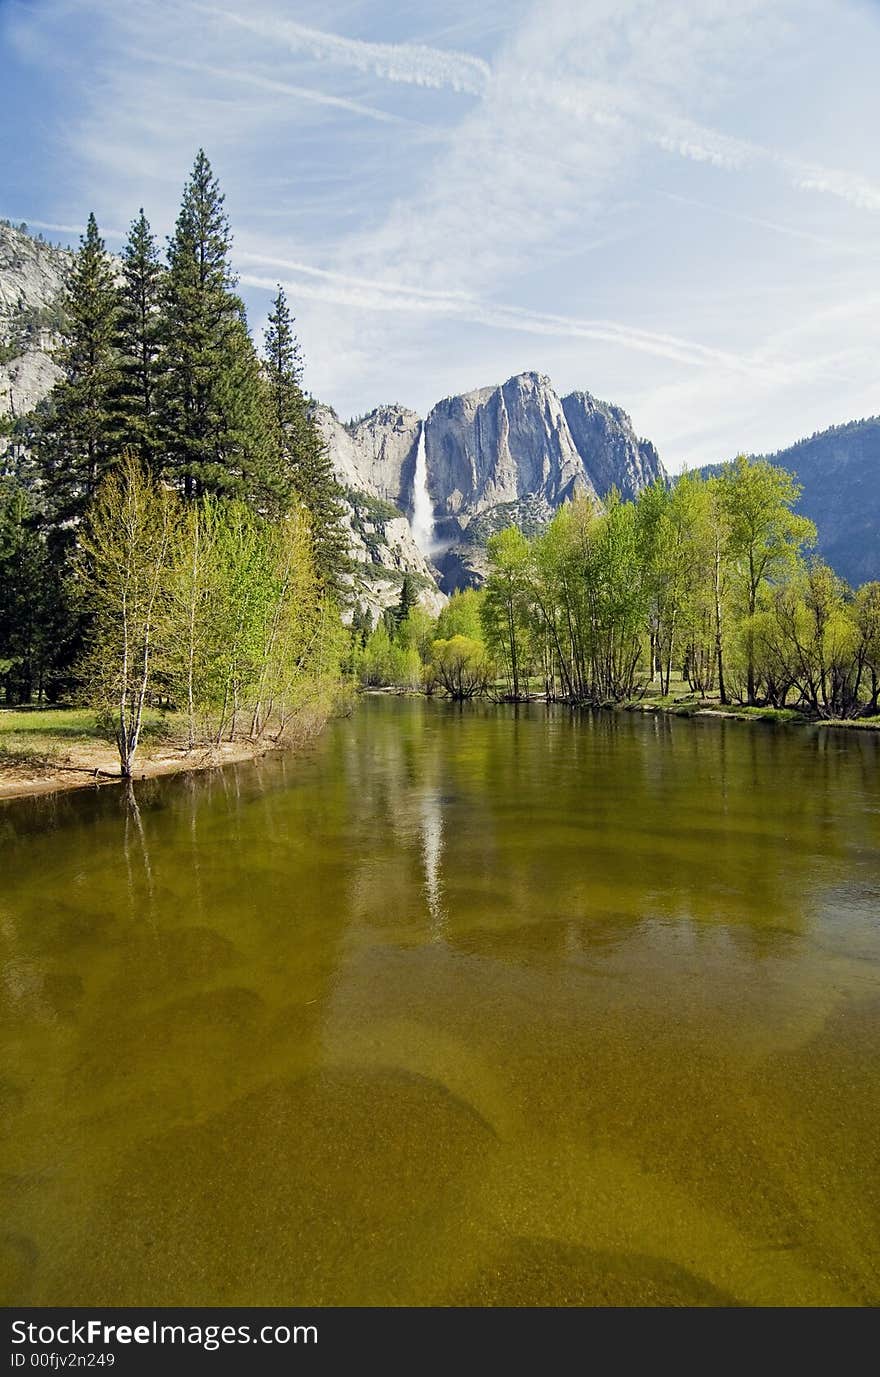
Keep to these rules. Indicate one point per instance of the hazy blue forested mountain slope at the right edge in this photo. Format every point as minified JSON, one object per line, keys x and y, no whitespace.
{"x":839,"y":473}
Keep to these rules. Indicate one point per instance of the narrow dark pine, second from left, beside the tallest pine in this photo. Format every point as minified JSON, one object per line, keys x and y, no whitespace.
{"x":140,"y":344}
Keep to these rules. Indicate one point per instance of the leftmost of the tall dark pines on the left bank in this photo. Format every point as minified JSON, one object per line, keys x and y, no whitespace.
{"x":75,"y":437}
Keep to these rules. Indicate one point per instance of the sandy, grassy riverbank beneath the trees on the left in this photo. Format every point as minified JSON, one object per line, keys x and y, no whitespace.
{"x":54,"y":750}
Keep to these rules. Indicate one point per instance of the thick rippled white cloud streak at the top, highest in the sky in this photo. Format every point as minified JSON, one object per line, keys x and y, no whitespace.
{"x":410,"y":63}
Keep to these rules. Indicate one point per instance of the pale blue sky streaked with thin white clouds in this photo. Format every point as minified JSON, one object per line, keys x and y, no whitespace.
{"x":671,"y":204}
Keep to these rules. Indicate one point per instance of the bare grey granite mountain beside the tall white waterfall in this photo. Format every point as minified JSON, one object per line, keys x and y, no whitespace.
{"x":492,"y":456}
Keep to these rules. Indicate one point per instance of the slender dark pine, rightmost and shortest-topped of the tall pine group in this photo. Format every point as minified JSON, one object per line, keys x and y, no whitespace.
{"x":301,"y":465}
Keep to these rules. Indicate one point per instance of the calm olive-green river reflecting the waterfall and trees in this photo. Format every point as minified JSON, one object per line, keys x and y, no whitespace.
{"x":458,"y":1007}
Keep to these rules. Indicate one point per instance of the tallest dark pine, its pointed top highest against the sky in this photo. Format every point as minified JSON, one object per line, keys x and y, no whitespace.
{"x":213,"y":395}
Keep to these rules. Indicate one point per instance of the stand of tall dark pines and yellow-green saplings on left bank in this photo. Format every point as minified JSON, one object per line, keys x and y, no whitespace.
{"x":171,"y":531}
